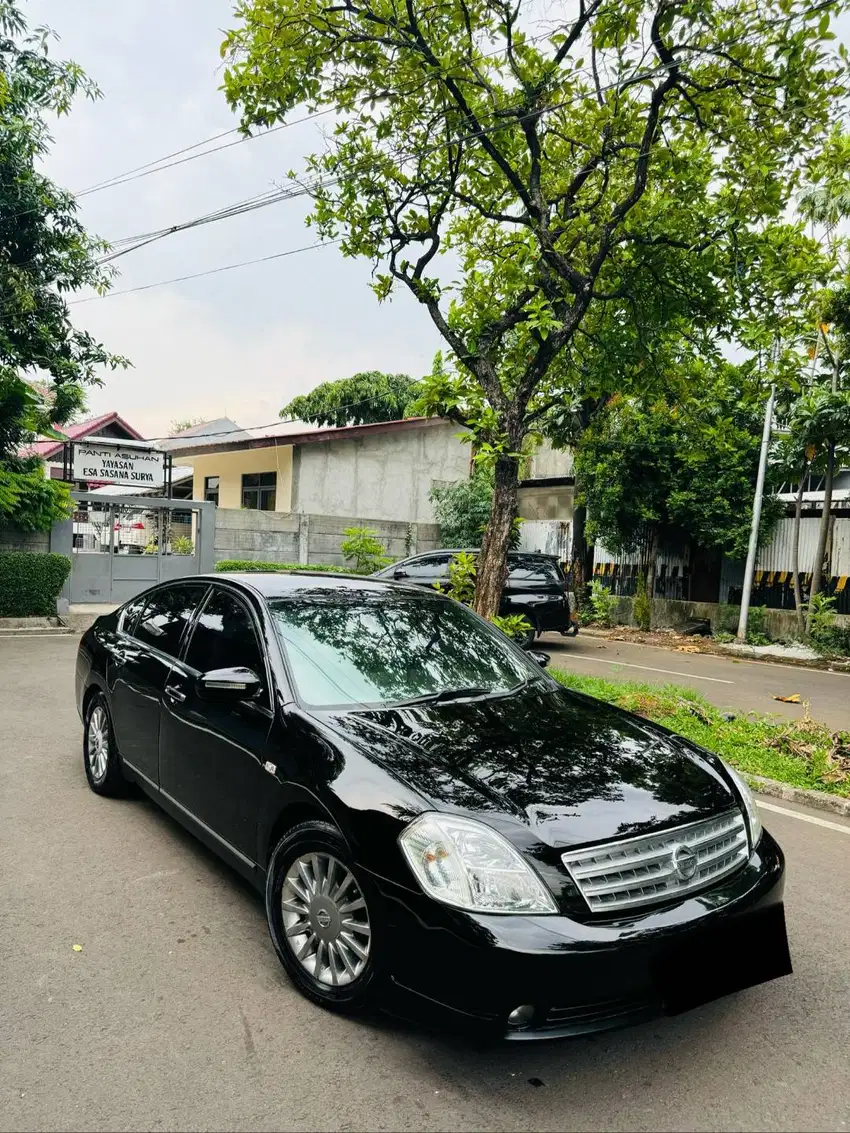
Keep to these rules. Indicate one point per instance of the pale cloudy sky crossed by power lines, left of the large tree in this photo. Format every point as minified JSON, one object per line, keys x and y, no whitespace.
{"x":242,"y":344}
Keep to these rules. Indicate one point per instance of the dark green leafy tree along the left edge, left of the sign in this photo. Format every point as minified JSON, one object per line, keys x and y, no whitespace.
{"x":45,"y":253}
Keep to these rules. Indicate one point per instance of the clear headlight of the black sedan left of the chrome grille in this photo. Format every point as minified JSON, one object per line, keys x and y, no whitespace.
{"x":471,"y":866}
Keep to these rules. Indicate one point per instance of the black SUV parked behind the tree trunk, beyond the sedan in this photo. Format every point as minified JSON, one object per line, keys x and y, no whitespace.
{"x":537,"y":587}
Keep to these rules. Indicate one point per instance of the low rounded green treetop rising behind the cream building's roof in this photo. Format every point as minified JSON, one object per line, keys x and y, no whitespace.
{"x":363,"y":399}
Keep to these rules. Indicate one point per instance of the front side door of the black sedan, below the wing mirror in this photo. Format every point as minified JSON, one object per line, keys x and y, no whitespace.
{"x":212,"y":752}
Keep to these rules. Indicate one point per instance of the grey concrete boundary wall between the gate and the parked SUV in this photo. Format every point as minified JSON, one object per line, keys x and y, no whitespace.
{"x":309,"y":540}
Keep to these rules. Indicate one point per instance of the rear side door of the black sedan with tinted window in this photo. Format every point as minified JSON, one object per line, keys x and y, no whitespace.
{"x":139,"y":666}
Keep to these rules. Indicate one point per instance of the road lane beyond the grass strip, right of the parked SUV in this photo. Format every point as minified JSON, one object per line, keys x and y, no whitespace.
{"x":729,"y":683}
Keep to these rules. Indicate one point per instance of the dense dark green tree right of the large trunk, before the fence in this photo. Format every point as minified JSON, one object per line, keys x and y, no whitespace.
{"x":656,"y":474}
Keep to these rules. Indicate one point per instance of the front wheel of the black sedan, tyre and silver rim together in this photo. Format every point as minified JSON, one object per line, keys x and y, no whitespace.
{"x":355,"y":956}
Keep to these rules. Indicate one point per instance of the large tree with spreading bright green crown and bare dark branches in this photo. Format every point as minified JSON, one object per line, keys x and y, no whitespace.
{"x":625,"y":169}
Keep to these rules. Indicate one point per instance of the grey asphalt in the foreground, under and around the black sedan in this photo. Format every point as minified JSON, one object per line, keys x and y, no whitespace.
{"x":176,"y":1015}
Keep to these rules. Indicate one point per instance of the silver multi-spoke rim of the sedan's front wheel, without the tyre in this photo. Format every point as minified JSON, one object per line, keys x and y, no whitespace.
{"x":326,"y":919}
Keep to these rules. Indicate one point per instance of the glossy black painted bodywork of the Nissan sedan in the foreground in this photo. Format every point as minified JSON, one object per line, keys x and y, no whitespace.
{"x":549,"y":769}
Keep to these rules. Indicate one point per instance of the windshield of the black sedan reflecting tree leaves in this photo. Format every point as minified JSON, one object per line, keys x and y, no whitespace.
{"x":348,"y":648}
